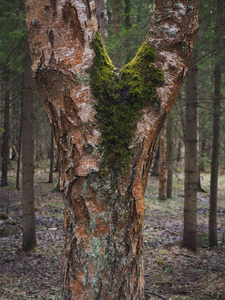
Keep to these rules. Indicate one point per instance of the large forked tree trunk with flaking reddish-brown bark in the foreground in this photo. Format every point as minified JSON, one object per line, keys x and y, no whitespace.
{"x":104,"y":208}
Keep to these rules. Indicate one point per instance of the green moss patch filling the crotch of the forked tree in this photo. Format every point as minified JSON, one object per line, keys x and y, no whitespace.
{"x":122,"y":94}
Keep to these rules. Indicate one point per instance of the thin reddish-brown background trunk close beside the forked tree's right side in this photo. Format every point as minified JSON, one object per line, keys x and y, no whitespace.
{"x":162,"y":164}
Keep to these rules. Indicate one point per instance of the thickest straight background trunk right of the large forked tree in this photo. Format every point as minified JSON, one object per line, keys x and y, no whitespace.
{"x":190,"y":196}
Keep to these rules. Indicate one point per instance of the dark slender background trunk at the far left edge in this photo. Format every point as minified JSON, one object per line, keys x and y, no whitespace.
{"x":6,"y":133}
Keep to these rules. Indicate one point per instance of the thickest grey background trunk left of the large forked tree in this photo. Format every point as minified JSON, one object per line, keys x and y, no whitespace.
{"x":29,"y":234}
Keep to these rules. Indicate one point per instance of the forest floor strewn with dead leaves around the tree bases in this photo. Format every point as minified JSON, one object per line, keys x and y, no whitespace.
{"x":171,"y":272}
